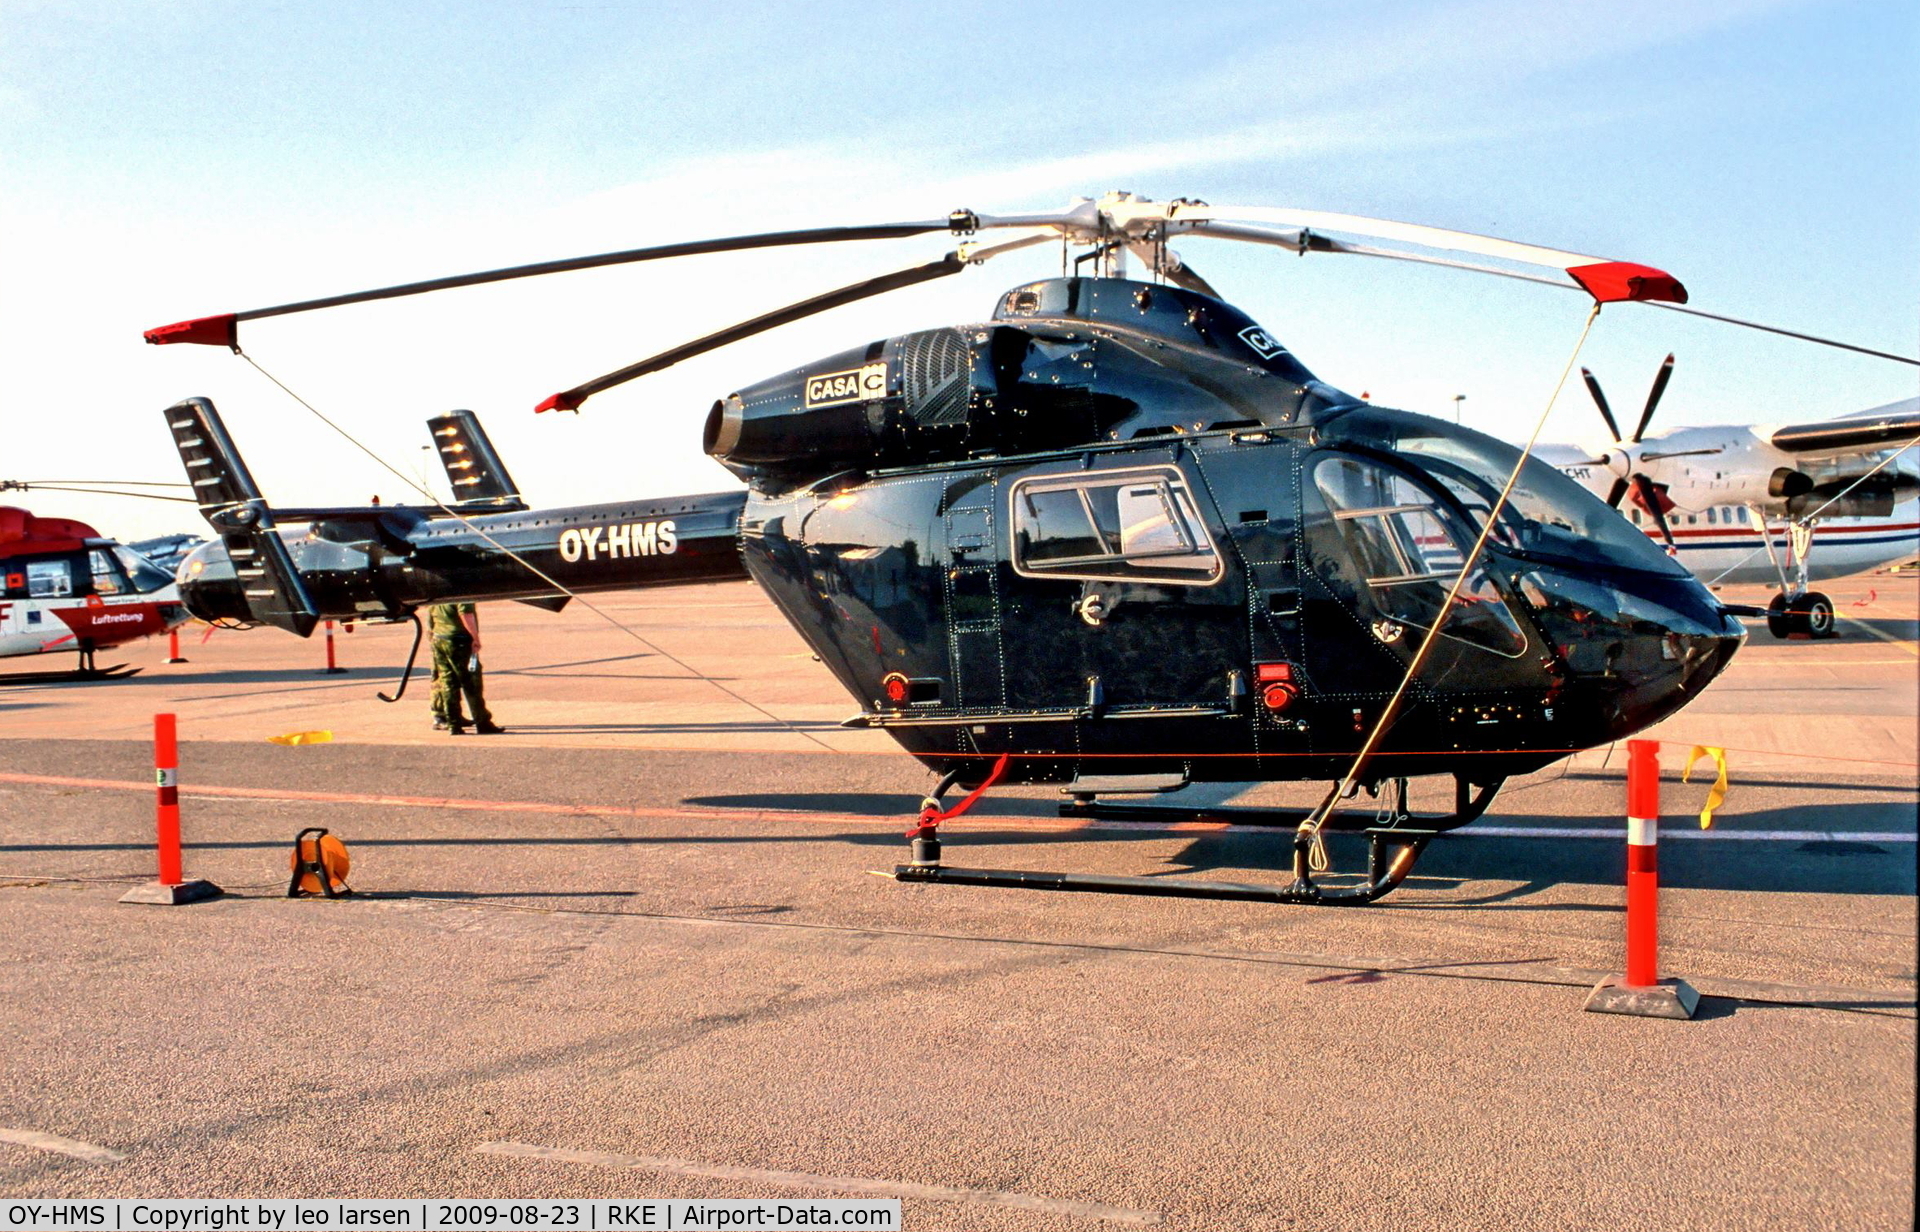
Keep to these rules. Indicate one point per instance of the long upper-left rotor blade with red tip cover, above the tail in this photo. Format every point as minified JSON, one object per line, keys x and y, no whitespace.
{"x":222,"y":331}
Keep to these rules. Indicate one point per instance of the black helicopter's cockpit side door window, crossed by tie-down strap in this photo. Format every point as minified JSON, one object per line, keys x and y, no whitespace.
{"x":1408,"y":552}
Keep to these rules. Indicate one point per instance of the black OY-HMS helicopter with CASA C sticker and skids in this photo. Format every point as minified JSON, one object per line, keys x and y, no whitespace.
{"x":1115,"y":533}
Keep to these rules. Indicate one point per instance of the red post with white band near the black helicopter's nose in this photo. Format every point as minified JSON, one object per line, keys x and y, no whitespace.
{"x":1641,"y":989}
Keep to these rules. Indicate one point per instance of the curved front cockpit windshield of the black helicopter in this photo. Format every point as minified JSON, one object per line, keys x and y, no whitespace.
{"x":1548,"y":515}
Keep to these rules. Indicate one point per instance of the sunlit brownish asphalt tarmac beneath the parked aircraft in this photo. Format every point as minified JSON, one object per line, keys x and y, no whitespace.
{"x":633,"y":949}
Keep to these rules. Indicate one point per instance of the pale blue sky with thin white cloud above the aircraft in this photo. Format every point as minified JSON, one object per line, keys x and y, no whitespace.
{"x":168,"y":162}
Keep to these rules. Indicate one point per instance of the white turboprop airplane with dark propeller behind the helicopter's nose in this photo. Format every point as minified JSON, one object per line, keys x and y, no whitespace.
{"x":1742,"y":502}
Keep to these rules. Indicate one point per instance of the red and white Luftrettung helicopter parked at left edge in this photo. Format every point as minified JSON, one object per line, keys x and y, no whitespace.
{"x":68,"y":588}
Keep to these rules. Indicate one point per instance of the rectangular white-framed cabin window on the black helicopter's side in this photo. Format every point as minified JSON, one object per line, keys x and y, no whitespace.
{"x":1138,"y":525}
